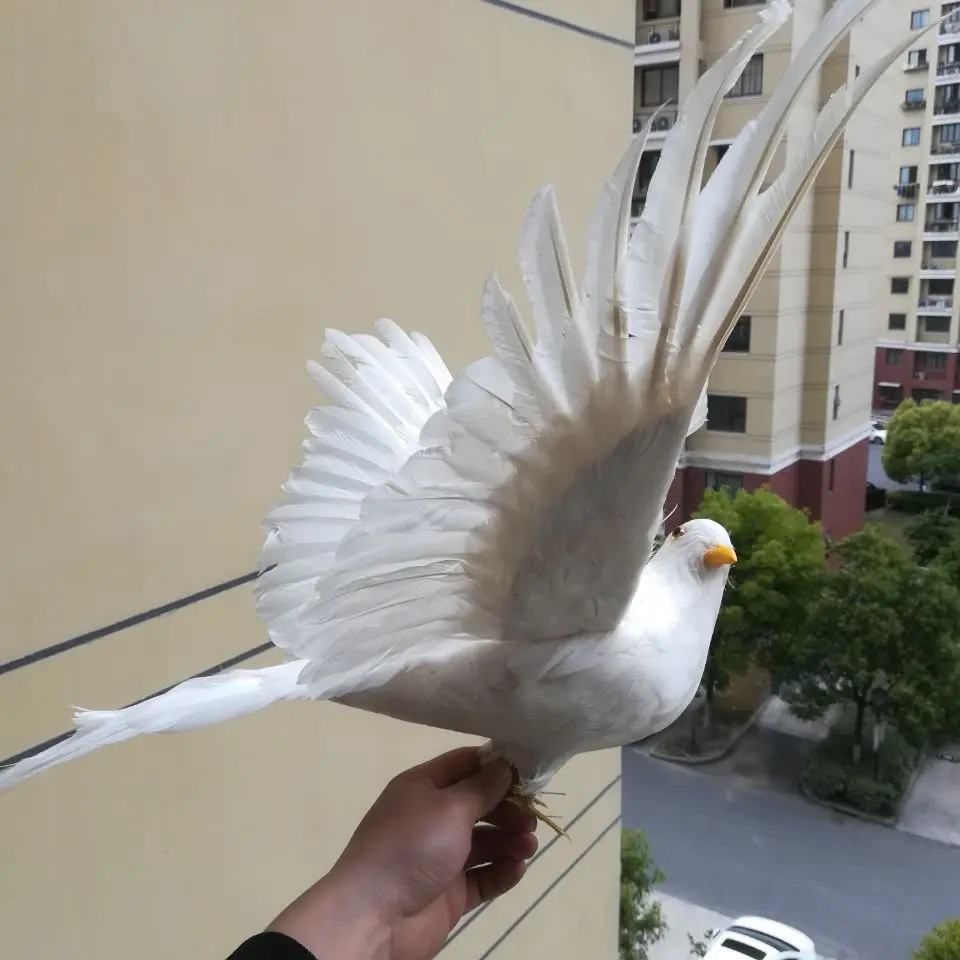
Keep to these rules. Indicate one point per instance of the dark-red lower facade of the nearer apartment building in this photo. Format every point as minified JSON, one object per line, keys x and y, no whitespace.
{"x":831,"y":490}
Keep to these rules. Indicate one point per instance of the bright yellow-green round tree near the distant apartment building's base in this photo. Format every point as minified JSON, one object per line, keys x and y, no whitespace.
{"x":923,"y":442}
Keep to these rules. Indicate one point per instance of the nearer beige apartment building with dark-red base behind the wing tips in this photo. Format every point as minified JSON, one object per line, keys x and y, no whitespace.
{"x":790,"y":400}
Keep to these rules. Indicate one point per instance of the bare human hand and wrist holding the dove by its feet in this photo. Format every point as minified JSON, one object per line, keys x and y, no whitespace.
{"x":418,"y":861}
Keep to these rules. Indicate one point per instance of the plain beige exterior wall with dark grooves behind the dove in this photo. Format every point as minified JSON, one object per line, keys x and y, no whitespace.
{"x":191,"y":192}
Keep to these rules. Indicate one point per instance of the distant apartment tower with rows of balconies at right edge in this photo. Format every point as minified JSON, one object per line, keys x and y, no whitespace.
{"x":918,"y":342}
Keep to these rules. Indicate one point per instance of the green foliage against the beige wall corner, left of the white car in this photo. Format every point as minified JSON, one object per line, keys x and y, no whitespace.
{"x":641,"y":920}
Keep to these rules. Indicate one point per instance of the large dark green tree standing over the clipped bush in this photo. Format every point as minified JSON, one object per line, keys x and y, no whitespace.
{"x":879,"y":621}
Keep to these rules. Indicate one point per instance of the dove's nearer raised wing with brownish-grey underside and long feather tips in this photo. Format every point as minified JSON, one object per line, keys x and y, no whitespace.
{"x":530,"y":508}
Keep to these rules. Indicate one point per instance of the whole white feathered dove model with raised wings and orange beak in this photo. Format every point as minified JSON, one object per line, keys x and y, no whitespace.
{"x":474,"y":552}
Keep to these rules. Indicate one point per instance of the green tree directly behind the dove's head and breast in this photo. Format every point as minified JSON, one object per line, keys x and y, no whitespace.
{"x":780,"y":558}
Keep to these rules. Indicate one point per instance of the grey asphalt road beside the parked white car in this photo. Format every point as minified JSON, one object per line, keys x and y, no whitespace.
{"x":862,"y":892}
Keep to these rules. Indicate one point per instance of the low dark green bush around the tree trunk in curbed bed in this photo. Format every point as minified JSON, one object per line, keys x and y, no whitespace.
{"x":830,"y":774}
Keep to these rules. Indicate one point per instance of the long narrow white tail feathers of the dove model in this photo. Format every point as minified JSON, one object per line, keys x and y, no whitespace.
{"x":195,"y":703}
